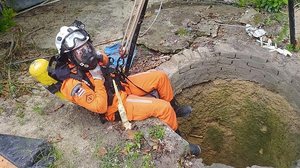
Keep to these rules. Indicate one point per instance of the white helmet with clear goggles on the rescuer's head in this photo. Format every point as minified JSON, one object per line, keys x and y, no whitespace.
{"x":70,"y":38}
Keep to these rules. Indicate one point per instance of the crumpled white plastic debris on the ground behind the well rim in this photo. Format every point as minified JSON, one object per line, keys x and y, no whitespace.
{"x":260,"y":35}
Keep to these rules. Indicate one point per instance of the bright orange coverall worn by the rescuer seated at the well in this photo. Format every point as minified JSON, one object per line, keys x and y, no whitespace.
{"x":137,"y":107}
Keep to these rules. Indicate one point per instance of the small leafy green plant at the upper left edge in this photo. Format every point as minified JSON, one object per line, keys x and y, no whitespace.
{"x":6,"y":21}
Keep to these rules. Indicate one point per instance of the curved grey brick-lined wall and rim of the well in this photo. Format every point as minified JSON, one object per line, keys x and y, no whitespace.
{"x":240,"y":61}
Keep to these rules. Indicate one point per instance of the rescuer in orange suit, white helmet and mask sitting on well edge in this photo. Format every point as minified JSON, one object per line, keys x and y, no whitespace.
{"x":88,"y":86}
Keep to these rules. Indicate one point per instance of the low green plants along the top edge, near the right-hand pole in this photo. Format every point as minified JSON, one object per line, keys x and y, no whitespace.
{"x":267,"y":5}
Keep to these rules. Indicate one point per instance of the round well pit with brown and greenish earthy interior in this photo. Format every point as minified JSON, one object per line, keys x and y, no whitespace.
{"x":239,"y":123}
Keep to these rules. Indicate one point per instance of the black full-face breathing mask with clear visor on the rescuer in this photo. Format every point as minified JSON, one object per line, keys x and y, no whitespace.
{"x":85,"y":56}
